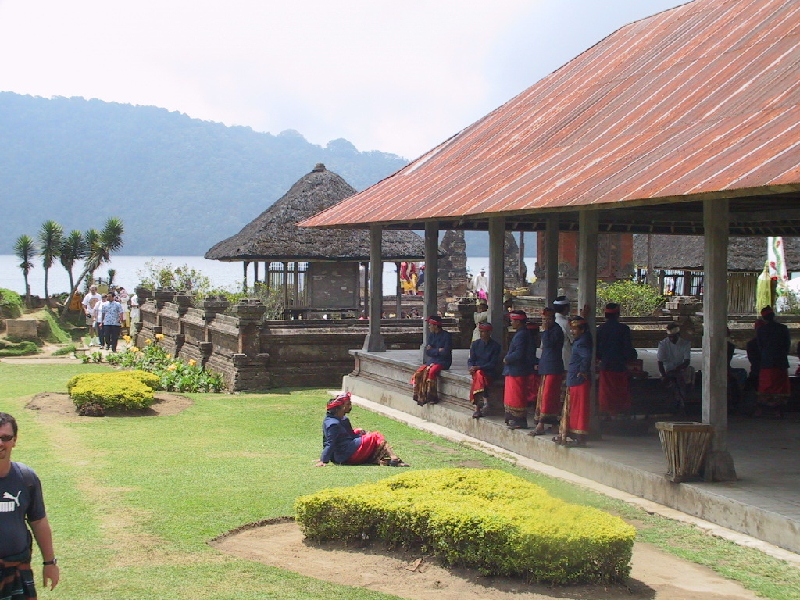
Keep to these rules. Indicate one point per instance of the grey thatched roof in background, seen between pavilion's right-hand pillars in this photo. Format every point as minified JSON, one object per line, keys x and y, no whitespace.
{"x":685,"y":252}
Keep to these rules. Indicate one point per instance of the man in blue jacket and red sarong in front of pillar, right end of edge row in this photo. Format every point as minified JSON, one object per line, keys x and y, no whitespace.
{"x":575,"y":414}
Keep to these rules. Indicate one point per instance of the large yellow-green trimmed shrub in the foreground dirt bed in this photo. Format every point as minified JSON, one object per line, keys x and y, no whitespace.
{"x":495,"y":522}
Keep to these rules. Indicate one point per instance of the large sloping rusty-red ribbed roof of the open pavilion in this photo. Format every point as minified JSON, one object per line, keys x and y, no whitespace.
{"x":701,"y":98}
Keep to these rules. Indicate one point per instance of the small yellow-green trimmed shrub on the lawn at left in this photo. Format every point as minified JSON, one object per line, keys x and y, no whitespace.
{"x":121,"y":390}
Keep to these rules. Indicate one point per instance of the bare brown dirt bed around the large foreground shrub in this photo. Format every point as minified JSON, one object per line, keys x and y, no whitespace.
{"x":655,"y":574}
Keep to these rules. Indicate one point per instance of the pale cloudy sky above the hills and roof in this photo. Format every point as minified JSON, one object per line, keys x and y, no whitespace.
{"x":393,"y":76}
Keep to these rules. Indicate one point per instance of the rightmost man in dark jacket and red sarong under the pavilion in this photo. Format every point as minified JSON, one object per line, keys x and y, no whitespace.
{"x":773,"y":379}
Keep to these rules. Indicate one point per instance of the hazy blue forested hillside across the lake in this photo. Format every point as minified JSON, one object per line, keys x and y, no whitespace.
{"x":179,"y":184}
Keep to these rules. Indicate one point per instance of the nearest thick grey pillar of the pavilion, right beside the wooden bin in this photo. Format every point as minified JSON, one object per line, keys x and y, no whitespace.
{"x":719,"y":462}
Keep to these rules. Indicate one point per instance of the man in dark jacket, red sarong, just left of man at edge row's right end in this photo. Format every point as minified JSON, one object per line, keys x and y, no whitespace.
{"x":551,"y":372}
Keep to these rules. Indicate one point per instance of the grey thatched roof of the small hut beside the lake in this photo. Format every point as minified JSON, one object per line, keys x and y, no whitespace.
{"x":273,"y":235}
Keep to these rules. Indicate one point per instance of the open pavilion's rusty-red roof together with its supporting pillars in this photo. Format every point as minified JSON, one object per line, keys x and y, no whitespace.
{"x":686,"y":122}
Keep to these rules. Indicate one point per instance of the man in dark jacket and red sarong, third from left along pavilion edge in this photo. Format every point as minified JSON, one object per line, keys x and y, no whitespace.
{"x":517,"y":369}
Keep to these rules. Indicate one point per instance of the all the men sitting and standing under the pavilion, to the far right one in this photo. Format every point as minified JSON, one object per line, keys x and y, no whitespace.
{"x":548,"y":365}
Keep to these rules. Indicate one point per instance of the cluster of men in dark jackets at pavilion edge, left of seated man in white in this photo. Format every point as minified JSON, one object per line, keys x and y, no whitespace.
{"x":547,"y":366}
